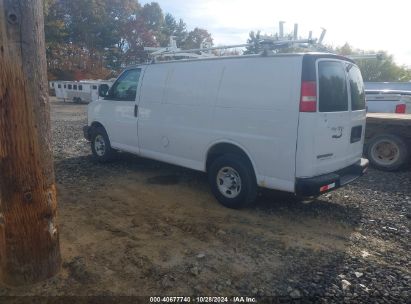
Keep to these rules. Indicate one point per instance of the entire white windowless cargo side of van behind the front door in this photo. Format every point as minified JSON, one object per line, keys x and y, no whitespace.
{"x":205,"y":101}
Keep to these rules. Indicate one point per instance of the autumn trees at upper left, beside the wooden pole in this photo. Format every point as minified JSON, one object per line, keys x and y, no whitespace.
{"x":98,"y":38}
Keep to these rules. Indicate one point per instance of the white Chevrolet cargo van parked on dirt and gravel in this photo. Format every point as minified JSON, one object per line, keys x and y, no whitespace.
{"x":291,"y":122}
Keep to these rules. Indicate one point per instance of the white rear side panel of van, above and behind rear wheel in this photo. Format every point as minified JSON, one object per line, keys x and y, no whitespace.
{"x":251,"y":117}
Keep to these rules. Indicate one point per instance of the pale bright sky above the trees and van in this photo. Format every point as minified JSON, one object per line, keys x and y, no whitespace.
{"x":365,"y":24}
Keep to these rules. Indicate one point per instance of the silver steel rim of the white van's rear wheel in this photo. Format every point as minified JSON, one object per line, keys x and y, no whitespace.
{"x":229,"y":182}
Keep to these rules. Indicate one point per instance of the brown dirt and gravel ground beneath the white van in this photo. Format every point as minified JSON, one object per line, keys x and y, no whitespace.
{"x":141,"y":227}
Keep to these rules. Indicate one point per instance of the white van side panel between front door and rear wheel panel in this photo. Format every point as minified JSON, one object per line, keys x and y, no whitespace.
{"x":179,"y":125}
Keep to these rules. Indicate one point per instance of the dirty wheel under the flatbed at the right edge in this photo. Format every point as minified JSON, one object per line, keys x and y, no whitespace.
{"x":387,"y":152}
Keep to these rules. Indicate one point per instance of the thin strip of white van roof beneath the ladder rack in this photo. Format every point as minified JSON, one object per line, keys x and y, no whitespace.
{"x":314,"y":55}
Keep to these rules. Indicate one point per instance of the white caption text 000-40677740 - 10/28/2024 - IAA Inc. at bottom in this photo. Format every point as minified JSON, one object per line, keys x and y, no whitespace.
{"x":203,"y":300}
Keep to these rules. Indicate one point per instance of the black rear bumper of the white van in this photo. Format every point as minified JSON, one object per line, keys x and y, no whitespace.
{"x":317,"y":185}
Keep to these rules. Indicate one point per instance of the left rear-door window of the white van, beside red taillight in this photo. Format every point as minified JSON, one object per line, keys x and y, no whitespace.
{"x":333,"y":96}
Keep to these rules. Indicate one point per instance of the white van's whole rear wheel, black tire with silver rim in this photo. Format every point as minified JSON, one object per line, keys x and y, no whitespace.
{"x":236,"y":170}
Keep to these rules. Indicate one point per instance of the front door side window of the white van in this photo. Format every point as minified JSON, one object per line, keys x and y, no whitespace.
{"x":125,"y":88}
